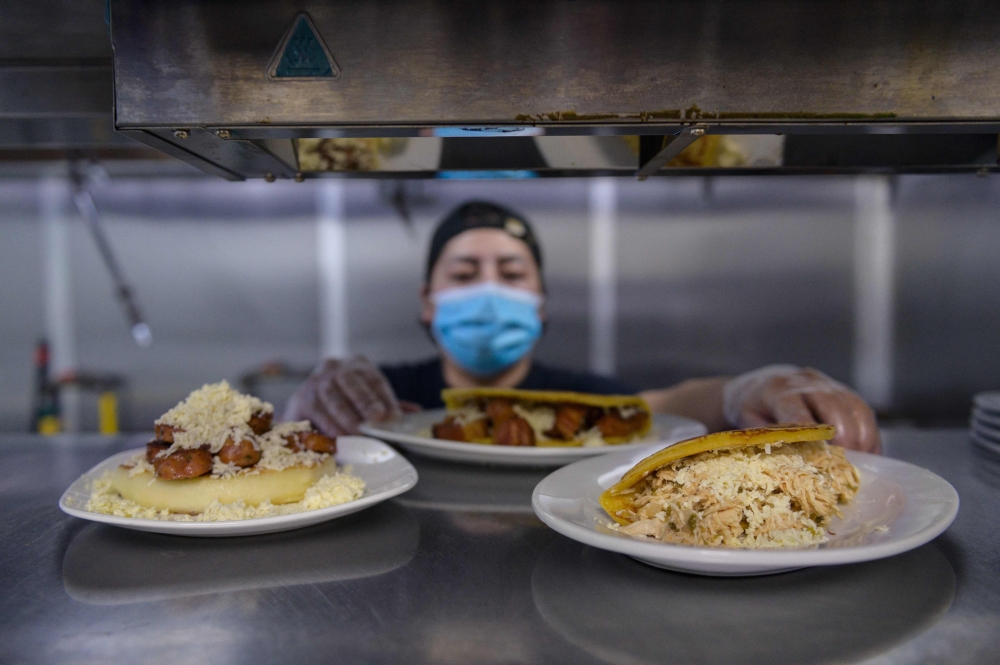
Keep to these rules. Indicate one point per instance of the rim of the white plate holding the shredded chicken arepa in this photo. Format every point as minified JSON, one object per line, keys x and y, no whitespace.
{"x":765,"y":559}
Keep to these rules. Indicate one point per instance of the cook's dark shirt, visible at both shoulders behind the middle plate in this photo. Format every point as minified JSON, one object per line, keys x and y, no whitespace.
{"x":423,"y":382}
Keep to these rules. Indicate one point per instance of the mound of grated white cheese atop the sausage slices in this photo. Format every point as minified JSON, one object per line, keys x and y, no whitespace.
{"x":212,"y":414}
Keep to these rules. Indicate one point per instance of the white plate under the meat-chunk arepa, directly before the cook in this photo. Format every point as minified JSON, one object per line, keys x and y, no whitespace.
{"x":406,"y":431}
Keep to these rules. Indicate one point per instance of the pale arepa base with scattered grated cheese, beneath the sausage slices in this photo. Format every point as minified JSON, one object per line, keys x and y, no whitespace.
{"x":329,"y":490}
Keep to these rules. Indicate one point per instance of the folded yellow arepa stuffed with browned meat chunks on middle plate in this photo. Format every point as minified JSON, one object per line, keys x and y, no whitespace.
{"x":510,"y":417}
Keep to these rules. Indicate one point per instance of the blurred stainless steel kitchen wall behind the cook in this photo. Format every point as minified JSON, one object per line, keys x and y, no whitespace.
{"x":889,"y":284}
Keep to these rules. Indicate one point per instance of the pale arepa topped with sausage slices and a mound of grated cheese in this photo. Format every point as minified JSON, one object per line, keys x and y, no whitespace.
{"x":217,"y":456}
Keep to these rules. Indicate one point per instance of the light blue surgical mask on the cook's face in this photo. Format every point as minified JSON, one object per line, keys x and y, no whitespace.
{"x":486,"y":327}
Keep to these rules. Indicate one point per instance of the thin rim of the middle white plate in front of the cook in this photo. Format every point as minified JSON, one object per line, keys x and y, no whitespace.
{"x":520,"y":453}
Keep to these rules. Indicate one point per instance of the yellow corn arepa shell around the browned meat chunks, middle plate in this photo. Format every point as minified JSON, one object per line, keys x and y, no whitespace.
{"x":456,"y":399}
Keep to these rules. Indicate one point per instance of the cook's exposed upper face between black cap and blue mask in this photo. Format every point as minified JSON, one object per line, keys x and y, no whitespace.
{"x":482,"y":255}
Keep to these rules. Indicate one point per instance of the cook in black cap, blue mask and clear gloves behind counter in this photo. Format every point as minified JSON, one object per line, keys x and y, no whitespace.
{"x":483,"y":302}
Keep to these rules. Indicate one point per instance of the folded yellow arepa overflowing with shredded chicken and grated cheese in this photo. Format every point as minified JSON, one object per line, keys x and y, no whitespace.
{"x":768,"y":487}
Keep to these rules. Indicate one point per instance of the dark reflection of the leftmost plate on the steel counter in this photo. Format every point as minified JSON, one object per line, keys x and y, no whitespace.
{"x":107,"y":566}
